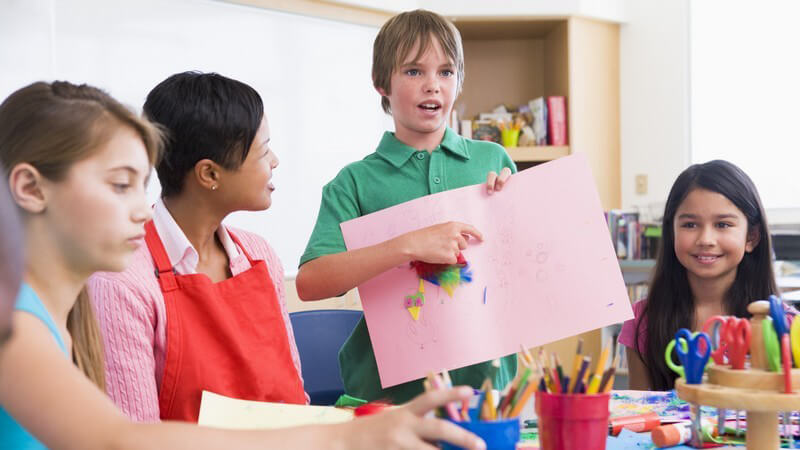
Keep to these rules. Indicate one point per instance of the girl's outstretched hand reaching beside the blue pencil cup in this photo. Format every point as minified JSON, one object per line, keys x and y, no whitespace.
{"x":405,"y":427}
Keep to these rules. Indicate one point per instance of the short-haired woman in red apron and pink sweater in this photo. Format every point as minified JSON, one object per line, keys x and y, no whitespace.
{"x":202,"y":305}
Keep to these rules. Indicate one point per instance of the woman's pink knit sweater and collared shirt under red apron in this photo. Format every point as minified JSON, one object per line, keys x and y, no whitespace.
{"x":132,"y":316}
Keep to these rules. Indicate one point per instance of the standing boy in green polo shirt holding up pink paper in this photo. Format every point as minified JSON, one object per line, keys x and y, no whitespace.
{"x":418,"y":69}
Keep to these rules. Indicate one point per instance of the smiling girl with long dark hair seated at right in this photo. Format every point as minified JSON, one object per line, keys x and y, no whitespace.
{"x":715,"y":258}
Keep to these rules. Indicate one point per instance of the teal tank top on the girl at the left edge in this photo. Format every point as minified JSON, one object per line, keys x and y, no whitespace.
{"x":12,"y":434}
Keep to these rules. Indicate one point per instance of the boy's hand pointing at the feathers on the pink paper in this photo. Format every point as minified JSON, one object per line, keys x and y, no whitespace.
{"x":438,"y":244}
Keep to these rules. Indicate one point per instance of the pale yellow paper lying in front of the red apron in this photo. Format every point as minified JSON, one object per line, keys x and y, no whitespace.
{"x":225,"y":412}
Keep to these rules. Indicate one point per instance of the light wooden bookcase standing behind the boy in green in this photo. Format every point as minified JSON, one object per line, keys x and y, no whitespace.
{"x":512,"y":60}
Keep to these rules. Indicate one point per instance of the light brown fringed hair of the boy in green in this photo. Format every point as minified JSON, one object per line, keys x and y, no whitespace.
{"x":398,"y":36}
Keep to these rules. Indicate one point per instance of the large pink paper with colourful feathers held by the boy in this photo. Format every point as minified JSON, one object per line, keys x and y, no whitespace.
{"x":546,"y":262}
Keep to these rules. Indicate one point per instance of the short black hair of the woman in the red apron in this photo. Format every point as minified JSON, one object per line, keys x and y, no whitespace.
{"x":204,"y":116}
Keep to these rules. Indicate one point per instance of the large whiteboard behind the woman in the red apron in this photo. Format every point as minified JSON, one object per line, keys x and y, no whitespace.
{"x":314,"y":76}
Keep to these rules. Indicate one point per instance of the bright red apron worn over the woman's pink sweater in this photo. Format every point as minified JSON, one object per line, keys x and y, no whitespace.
{"x":227,"y":337}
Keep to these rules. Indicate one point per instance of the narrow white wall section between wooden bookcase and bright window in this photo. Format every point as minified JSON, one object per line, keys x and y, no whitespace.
{"x":654,"y":98}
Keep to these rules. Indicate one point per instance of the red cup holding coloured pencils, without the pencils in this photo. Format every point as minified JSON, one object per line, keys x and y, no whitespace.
{"x":570,"y":421}
